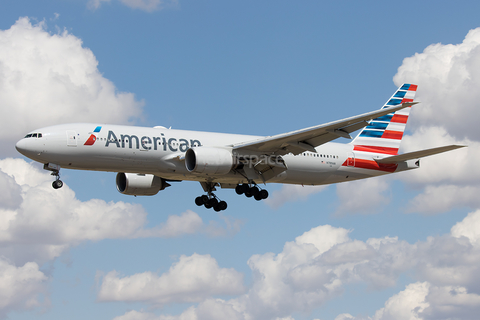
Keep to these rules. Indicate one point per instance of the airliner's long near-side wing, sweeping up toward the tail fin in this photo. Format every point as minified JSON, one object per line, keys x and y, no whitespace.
{"x":307,"y":139}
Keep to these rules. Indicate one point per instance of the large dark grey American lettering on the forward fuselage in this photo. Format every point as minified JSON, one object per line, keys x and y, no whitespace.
{"x":150,"y":143}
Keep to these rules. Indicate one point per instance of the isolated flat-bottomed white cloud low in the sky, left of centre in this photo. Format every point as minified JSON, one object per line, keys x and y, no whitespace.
{"x":192,"y":279}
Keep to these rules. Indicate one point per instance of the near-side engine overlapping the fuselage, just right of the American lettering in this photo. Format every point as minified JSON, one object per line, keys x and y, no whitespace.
{"x":209,"y":161}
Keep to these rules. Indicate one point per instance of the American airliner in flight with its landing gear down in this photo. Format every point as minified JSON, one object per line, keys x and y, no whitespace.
{"x":148,"y":160}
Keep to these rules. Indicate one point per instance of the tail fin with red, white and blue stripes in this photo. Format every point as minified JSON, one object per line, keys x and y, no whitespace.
{"x":384,"y":134}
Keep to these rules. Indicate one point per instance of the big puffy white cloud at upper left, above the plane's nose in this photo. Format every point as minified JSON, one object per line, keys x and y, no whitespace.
{"x":47,"y":79}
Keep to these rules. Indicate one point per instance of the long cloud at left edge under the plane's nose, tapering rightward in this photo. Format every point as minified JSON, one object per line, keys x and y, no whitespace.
{"x":29,"y":204}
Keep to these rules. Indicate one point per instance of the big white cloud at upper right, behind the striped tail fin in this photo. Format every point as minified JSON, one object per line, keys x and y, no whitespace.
{"x":448,"y":77}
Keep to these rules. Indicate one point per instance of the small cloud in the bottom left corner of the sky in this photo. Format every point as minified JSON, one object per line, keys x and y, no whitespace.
{"x":21,"y":287}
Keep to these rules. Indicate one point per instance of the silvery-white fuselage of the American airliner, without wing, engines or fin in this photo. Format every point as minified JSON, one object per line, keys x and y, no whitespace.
{"x":160,"y":151}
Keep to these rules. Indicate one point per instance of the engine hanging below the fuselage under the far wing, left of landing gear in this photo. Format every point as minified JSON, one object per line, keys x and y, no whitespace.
{"x":137,"y":184}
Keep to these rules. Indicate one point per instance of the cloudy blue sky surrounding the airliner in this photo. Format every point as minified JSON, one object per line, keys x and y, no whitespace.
{"x":396,"y":247}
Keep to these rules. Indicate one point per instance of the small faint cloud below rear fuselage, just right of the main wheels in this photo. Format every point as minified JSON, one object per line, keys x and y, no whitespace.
{"x":291,"y":193}
